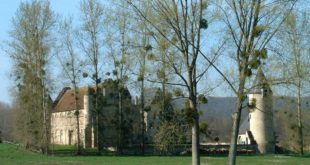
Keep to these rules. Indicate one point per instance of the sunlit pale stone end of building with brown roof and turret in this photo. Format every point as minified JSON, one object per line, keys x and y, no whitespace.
{"x":63,"y":119}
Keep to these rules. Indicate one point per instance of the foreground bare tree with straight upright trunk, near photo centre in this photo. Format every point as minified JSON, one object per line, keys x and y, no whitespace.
{"x":185,"y":21}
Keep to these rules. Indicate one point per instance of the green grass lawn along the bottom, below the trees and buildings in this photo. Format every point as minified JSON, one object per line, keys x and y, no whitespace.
{"x":12,"y":155}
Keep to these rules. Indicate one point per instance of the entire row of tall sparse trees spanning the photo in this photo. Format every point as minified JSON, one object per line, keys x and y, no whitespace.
{"x":175,"y":45}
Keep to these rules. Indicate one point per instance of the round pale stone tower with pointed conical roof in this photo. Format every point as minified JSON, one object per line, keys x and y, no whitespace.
{"x":261,"y":114}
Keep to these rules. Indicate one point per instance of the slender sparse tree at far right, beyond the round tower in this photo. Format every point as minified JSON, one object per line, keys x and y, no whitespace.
{"x":292,"y":46}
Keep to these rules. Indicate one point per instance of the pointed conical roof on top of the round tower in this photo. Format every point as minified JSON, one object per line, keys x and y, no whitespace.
{"x":260,"y":82}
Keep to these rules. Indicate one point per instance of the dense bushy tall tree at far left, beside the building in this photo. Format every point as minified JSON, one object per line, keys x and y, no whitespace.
{"x":30,"y":50}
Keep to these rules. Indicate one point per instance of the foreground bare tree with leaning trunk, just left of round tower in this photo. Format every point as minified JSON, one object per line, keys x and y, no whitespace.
{"x":250,"y":25}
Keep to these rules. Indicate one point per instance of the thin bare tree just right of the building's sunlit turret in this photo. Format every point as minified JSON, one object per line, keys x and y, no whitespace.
{"x":91,"y":44}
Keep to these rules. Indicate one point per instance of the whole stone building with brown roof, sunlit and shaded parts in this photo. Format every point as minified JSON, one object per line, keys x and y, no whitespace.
{"x":64,"y":124}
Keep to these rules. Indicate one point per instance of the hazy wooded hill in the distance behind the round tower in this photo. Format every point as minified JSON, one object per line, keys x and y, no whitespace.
{"x":217,"y":113}
